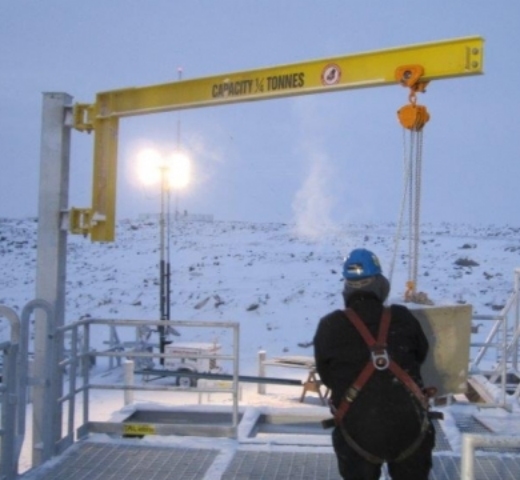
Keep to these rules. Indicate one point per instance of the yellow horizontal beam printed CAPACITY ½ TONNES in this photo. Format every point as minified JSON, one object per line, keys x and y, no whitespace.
{"x":443,"y":59}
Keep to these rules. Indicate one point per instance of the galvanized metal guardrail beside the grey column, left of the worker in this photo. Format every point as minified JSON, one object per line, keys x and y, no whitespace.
{"x":77,"y":364}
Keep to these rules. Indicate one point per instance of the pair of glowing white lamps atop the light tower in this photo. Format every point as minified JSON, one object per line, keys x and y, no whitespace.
{"x":151,"y":164}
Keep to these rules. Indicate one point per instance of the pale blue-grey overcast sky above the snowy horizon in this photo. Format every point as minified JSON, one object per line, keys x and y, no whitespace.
{"x":329,"y":158}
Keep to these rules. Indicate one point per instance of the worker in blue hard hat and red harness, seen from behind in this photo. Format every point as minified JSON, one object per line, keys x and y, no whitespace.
{"x":380,"y":410}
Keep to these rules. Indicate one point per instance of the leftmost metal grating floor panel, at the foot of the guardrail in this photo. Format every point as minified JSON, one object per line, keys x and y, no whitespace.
{"x":103,"y":461}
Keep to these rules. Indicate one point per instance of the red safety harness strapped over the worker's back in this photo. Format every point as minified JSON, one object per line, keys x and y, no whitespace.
{"x":380,"y":360}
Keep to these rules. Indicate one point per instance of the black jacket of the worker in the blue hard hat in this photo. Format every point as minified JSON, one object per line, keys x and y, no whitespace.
{"x":385,"y":417}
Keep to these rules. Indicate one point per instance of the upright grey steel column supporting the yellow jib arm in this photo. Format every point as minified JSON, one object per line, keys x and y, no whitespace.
{"x":51,"y":270}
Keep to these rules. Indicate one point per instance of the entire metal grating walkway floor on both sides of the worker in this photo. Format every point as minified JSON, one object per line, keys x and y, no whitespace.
{"x":89,"y":460}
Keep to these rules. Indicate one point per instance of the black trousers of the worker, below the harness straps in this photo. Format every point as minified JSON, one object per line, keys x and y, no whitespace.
{"x":353,"y":466}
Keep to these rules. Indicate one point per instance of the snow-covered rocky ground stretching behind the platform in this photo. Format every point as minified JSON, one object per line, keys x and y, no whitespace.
{"x":273,"y":280}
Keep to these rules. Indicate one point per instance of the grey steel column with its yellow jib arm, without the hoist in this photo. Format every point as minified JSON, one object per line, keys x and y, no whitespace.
{"x":438,"y":60}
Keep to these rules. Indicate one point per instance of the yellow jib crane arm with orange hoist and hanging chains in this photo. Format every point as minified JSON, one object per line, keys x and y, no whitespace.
{"x":412,"y":66}
